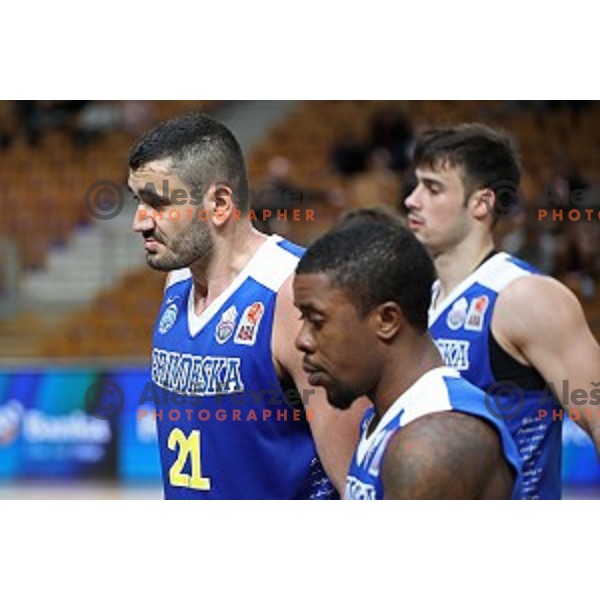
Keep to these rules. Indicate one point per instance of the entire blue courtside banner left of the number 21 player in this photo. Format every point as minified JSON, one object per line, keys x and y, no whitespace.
{"x":51,"y":426}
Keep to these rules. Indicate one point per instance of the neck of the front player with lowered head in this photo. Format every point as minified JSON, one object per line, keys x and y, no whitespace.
{"x":408,"y":362}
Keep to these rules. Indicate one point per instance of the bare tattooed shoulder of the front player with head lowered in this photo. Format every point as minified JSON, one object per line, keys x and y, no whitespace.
{"x":446,"y":455}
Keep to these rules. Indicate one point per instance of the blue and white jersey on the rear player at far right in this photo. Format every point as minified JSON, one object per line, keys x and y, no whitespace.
{"x":461,"y":328}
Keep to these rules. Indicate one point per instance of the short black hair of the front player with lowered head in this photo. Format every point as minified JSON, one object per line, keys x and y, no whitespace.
{"x":375,"y":263}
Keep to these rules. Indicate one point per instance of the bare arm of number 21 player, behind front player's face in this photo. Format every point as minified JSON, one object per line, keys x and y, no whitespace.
{"x":335,"y":432}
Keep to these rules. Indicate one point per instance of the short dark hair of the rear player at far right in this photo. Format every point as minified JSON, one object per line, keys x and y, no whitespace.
{"x":488,"y":158}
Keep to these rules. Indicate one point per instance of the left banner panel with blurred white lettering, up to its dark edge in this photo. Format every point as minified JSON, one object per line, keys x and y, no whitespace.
{"x":45,"y":430}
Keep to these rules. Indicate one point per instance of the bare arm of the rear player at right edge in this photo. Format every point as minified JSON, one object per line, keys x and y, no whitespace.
{"x":541,"y":322}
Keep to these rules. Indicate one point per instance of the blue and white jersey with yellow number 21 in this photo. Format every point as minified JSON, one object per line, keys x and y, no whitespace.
{"x":228,"y":429}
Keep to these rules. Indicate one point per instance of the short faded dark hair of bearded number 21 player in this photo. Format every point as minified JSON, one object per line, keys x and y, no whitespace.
{"x":203,"y":152}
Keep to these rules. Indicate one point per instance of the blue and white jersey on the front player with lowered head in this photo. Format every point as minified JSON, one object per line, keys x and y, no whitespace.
{"x":439,"y":390}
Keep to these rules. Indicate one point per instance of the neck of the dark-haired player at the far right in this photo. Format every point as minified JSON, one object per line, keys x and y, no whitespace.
{"x":455,"y":264}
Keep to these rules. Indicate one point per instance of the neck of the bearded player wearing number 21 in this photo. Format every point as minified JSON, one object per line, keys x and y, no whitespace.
{"x":231,"y":252}
